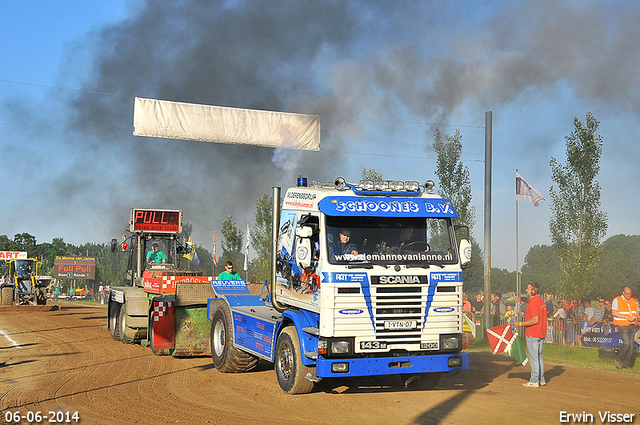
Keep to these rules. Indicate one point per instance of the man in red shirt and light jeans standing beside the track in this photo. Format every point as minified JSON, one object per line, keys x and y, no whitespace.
{"x":535,"y":332}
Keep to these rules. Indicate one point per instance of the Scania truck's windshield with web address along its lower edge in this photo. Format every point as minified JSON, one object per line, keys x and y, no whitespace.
{"x":389,"y":241}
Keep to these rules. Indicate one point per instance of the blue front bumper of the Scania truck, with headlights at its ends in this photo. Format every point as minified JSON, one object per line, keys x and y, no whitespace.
{"x":336,"y":368}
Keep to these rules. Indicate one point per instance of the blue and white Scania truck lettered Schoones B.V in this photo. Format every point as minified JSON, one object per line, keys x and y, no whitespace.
{"x":366,"y":280}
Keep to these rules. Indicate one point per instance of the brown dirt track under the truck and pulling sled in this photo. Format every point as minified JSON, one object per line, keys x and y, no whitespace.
{"x":62,"y":360}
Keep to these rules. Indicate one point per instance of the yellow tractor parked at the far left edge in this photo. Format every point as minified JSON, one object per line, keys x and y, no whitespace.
{"x":24,"y":285}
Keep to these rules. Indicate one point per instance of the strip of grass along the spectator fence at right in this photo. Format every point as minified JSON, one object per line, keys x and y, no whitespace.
{"x":567,"y":355}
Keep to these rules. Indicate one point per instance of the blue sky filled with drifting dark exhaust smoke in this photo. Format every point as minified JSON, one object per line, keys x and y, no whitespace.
{"x":379,"y":74}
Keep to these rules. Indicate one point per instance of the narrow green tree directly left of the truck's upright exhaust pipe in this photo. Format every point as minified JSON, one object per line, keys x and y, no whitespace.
{"x":261,"y":235}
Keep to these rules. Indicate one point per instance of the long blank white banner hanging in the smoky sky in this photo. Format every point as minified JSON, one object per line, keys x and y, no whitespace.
{"x":205,"y":123}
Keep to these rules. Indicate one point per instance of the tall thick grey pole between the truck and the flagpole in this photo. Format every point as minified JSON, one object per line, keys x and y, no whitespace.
{"x":488,"y":141}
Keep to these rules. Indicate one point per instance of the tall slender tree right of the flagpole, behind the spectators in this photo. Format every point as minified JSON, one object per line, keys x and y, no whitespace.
{"x":577,"y":225}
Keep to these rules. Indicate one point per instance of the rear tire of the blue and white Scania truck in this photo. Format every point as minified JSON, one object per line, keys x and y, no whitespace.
{"x":226,"y":357}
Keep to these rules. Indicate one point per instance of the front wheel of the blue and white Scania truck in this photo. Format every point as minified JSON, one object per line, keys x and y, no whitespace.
{"x":290,"y":371}
